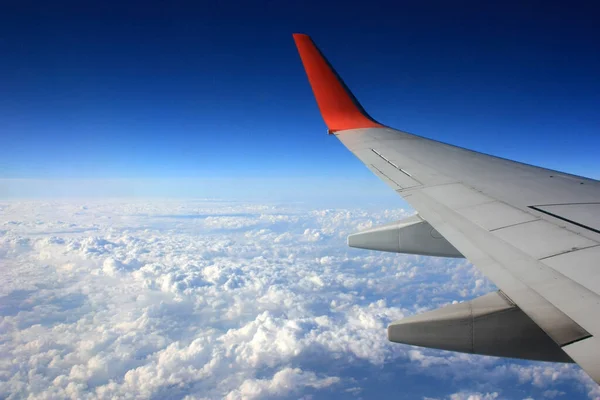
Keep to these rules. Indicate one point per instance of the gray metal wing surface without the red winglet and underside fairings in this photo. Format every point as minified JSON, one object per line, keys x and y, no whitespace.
{"x":544,"y":260}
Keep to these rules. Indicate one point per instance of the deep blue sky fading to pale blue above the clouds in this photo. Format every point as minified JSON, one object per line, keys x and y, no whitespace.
{"x":150,"y":91}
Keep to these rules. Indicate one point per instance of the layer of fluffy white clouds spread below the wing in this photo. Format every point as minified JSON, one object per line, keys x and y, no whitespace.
{"x":199,"y":299}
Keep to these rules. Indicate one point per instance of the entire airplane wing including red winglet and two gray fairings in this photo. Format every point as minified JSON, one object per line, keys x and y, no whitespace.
{"x":534,"y":232}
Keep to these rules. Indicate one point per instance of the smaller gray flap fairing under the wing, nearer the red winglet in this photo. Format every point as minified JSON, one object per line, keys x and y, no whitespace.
{"x":412,"y":235}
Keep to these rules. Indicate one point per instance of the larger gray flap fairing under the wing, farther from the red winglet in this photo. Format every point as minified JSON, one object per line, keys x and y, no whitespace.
{"x":489,"y":325}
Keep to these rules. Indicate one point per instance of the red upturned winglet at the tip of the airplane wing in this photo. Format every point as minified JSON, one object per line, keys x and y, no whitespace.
{"x":338,"y":106}
